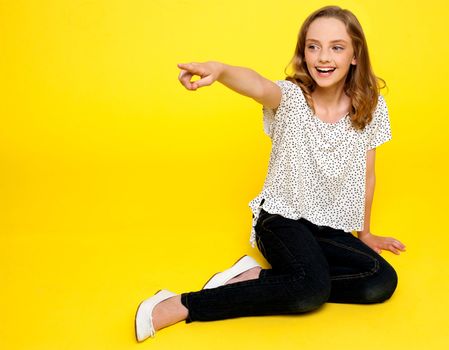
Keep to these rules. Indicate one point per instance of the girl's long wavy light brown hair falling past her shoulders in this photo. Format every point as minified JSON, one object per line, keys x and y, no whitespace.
{"x":361,"y":85}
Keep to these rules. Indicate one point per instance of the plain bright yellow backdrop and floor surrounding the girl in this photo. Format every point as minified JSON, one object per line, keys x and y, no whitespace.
{"x":115,"y":181}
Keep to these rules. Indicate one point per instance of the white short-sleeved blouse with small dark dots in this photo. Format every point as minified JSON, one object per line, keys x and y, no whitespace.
{"x":317,"y":170}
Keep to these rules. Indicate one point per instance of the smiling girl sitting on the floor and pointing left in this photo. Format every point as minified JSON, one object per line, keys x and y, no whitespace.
{"x":325,"y":121}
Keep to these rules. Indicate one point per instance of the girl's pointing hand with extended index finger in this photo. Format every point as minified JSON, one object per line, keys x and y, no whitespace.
{"x":208,"y":71}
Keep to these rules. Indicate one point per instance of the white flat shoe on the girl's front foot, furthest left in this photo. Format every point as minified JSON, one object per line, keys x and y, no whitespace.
{"x":144,"y":319}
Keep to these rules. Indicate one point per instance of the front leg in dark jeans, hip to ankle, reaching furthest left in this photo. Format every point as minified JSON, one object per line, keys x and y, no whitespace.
{"x":298,"y":282}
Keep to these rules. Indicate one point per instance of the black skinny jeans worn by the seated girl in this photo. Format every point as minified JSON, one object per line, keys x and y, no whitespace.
{"x":310,"y":265}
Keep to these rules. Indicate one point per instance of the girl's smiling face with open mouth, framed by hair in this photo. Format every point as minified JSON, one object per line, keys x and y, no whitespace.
{"x":328,"y":52}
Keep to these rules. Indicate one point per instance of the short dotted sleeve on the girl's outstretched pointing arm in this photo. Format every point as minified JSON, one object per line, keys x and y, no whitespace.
{"x":270,"y":118}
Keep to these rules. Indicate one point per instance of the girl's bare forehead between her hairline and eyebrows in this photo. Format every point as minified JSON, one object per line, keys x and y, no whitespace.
{"x":327,"y":29}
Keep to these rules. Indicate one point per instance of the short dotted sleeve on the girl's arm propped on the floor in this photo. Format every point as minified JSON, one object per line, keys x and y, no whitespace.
{"x":379,"y":128}
